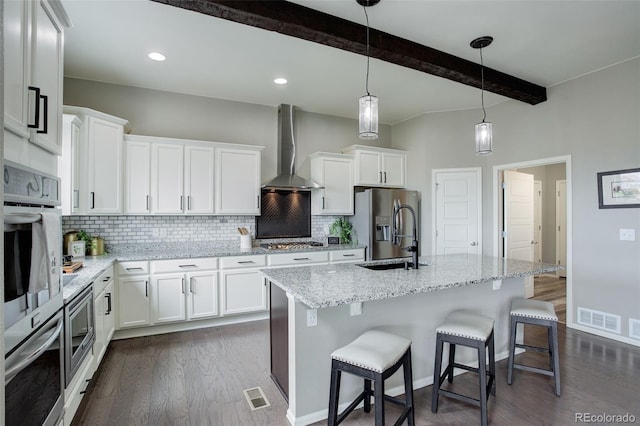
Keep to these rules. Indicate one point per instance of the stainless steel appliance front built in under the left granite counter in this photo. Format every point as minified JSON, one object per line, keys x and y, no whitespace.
{"x":79,"y":331}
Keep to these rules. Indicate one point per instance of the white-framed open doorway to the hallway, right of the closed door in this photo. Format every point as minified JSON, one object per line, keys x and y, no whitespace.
{"x":551,"y":239}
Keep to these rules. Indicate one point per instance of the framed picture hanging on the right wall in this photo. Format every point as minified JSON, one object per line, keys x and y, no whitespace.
{"x":619,"y":189}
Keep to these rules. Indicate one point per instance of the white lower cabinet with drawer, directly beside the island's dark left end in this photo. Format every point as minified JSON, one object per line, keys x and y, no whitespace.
{"x":244,"y":289}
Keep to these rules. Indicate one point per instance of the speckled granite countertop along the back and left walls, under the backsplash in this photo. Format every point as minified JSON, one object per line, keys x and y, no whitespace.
{"x":94,"y":265}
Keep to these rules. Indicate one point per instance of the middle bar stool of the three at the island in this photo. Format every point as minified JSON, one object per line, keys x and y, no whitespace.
{"x":475,"y":331}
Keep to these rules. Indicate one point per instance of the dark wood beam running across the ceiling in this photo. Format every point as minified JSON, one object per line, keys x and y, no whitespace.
{"x":308,"y":24}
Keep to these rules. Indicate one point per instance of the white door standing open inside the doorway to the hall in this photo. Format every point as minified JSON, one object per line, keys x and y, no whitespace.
{"x":518,"y":220}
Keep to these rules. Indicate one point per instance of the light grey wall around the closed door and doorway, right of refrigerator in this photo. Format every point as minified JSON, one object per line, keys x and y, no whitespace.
{"x":596,"y":120}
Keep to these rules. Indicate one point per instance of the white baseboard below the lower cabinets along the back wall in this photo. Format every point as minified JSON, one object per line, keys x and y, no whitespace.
{"x":128,"y":333}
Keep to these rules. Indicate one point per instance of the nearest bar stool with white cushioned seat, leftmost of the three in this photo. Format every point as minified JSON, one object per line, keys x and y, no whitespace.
{"x":375,"y":355}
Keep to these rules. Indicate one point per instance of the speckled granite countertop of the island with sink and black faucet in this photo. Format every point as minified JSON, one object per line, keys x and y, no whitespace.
{"x":338,"y":284}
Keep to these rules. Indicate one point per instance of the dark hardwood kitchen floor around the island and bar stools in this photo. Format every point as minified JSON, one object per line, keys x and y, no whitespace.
{"x":197,"y":378}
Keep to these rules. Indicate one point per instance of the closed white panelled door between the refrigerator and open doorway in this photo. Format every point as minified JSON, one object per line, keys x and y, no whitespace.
{"x":458,"y":205}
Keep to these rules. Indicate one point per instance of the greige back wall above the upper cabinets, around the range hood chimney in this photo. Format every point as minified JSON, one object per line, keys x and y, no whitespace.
{"x":157,"y":113}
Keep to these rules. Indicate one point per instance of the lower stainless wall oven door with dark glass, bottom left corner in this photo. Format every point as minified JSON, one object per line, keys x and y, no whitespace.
{"x":34,"y":377}
